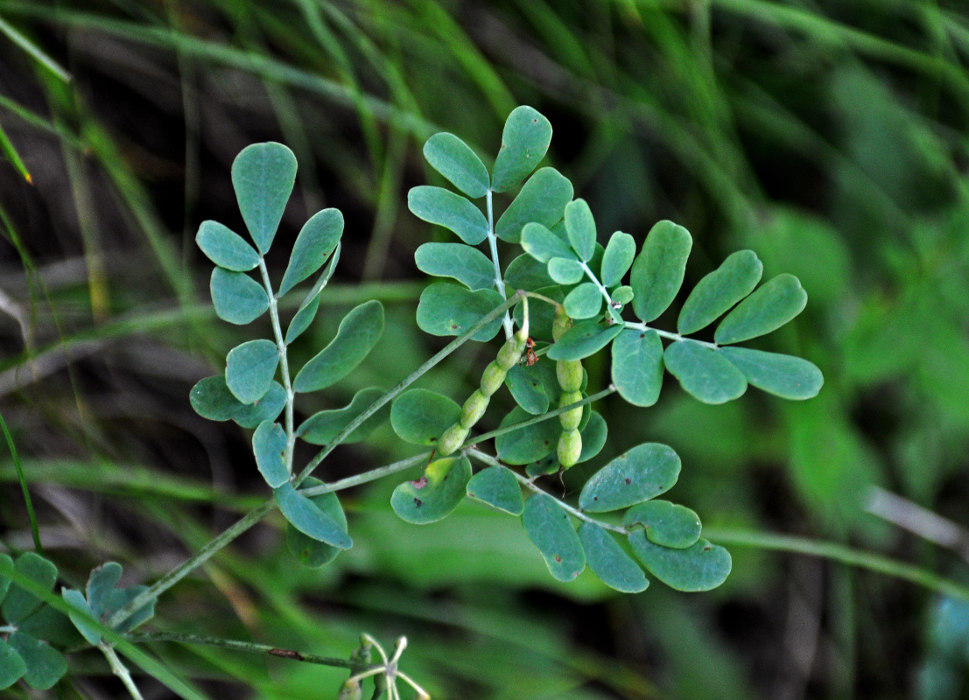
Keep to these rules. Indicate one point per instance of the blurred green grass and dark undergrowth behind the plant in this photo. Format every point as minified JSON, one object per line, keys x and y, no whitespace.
{"x":830,"y":137}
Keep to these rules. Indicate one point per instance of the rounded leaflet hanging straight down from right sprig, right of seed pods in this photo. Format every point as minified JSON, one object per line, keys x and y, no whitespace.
{"x":637,"y":366}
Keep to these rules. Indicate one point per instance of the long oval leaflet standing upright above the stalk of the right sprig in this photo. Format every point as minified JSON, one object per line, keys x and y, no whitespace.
{"x":658,"y":270}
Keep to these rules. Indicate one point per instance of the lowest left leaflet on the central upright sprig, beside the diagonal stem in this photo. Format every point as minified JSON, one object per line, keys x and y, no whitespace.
{"x":449,"y":309}
